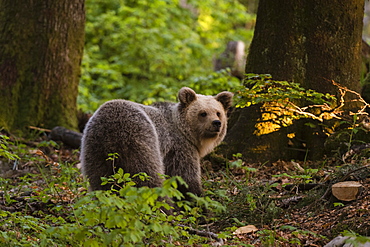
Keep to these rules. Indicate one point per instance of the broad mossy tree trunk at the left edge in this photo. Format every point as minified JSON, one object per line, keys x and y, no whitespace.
{"x":41,"y":47}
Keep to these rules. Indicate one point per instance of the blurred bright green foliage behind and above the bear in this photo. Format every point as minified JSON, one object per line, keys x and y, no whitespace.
{"x":146,"y":50}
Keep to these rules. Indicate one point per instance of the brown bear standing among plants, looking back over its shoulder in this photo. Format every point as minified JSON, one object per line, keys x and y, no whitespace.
{"x":163,"y":138}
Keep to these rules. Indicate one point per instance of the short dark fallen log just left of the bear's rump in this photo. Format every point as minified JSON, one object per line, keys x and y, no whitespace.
{"x":68,"y":137}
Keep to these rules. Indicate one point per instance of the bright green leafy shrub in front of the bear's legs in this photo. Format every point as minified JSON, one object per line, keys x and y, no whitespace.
{"x":131,"y":216}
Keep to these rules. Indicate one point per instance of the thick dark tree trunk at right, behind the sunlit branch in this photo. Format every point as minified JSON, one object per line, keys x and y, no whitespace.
{"x":309,"y":42}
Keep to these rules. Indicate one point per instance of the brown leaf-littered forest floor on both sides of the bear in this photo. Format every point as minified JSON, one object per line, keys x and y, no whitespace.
{"x":273,"y":200}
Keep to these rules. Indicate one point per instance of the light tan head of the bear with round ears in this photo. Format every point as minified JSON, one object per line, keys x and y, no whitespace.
{"x":203,"y":119}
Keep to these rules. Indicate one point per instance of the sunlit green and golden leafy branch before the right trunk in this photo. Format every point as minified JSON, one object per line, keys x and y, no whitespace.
{"x":282,"y":102}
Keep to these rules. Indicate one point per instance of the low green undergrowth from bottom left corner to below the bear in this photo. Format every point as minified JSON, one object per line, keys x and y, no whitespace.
{"x":129,"y":216}
